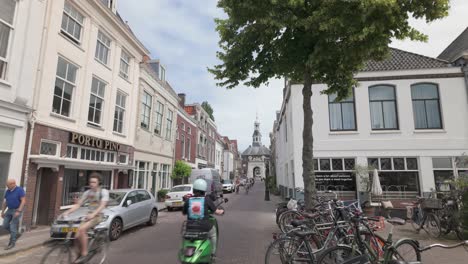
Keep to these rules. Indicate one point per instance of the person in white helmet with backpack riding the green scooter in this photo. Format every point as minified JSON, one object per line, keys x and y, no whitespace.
{"x":198,"y":208}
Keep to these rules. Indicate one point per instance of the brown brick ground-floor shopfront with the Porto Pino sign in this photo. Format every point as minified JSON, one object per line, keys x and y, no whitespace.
{"x":60,"y":163}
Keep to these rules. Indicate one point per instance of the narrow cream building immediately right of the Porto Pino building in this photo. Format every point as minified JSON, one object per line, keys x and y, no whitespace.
{"x":156,"y":130}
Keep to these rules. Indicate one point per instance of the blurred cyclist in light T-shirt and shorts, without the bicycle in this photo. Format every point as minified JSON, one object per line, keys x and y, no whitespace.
{"x":97,"y":199}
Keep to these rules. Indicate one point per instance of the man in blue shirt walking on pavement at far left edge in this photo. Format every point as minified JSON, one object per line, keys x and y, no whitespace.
{"x":14,"y":199}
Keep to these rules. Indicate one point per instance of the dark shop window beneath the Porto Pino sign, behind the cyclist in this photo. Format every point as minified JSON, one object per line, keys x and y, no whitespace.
{"x":75,"y":182}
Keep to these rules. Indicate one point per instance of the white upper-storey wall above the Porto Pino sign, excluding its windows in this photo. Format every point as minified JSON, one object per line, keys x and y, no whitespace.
{"x":55,"y":44}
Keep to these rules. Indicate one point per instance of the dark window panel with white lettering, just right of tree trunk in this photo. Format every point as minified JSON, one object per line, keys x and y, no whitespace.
{"x":339,"y":181}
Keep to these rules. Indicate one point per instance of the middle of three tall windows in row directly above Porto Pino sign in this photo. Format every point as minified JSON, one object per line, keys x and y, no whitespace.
{"x":96,"y":101}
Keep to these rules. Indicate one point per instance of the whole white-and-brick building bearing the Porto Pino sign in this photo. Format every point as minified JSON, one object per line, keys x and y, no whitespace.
{"x":85,"y":99}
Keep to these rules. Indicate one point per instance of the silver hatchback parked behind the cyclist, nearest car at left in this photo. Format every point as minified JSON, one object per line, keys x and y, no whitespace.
{"x":126,"y":208}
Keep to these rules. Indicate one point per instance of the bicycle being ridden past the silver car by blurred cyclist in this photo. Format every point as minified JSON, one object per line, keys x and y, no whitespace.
{"x":65,"y":252}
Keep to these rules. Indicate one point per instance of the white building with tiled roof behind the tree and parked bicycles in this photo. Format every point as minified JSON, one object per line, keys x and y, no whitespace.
{"x":407,"y":118}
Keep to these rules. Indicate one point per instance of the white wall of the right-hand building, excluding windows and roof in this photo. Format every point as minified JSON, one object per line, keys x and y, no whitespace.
{"x":452,"y":140}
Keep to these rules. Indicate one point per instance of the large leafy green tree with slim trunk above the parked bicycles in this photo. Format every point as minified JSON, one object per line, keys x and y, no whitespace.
{"x":324,"y":41}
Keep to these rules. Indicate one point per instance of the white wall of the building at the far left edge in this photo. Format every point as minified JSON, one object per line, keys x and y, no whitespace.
{"x":16,"y":89}
